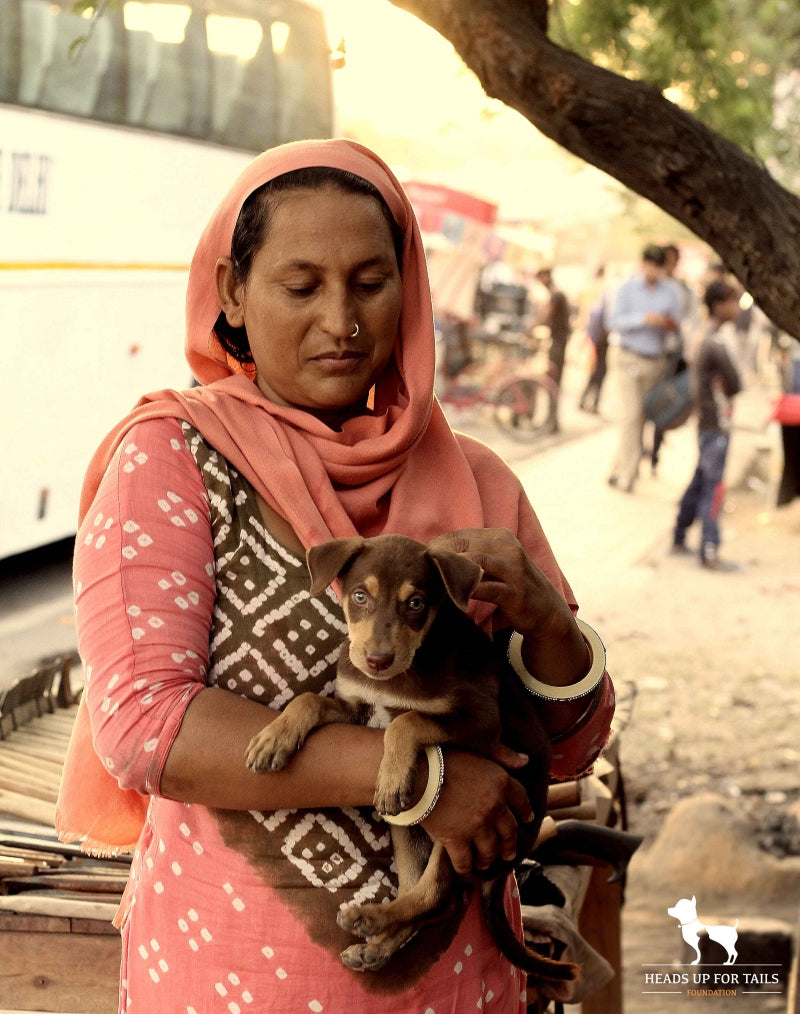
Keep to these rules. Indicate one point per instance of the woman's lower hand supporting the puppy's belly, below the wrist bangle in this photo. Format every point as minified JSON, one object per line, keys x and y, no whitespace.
{"x":481,"y":805}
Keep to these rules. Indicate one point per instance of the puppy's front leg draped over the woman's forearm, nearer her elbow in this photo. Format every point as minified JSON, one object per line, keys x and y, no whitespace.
{"x":276,"y":745}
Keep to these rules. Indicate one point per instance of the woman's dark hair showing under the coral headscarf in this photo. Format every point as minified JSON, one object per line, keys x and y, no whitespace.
{"x":253,"y":227}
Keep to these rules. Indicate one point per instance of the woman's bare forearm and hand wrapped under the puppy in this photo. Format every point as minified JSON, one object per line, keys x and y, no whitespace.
{"x":475,"y":819}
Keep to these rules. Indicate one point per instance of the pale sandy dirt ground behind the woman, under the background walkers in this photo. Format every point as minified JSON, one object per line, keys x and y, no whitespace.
{"x":714,"y":665}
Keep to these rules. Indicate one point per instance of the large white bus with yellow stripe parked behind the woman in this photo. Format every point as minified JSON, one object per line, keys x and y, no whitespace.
{"x":113,"y":156}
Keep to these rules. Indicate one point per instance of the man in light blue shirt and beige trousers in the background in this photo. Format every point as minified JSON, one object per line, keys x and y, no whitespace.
{"x":645,"y":313}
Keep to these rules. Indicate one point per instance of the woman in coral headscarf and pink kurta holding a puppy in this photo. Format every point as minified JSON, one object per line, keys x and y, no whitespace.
{"x":311,"y":328}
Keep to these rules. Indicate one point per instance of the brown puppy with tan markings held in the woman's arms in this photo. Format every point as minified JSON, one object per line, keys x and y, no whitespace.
{"x":416,"y":666}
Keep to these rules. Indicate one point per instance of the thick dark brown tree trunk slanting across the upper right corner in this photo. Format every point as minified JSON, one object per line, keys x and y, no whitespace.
{"x":630,"y":131}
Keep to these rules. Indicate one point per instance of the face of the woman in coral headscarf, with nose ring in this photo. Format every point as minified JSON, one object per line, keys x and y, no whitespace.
{"x":328,"y":264}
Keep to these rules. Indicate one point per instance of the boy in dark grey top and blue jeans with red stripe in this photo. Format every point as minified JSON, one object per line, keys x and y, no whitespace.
{"x":715,"y":382}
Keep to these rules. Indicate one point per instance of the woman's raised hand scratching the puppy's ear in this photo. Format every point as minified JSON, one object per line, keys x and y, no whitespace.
{"x":512,"y":582}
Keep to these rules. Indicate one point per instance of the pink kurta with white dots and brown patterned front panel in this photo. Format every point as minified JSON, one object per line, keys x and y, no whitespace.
{"x":179,"y":587}
